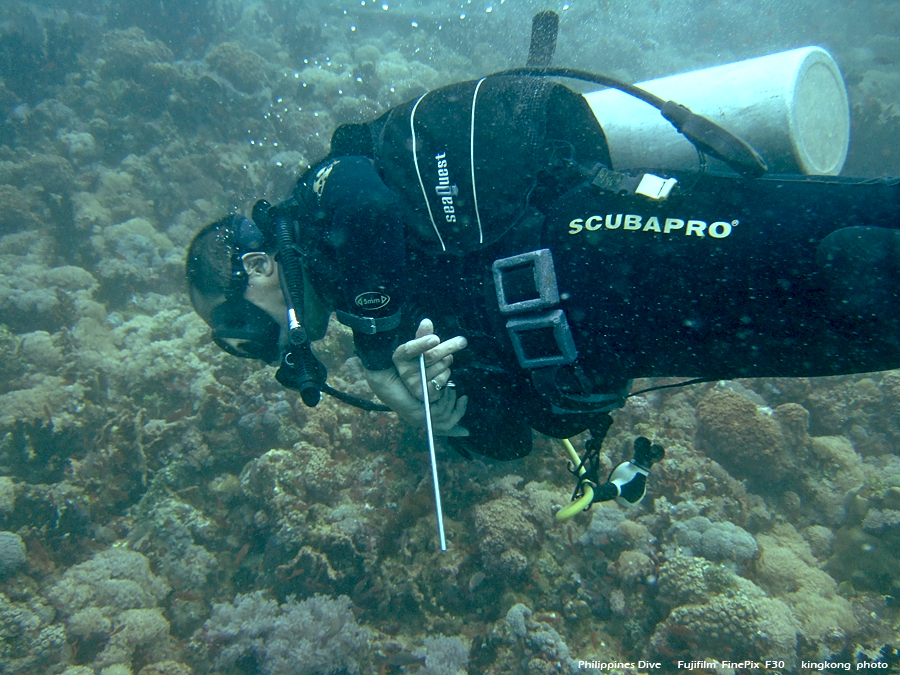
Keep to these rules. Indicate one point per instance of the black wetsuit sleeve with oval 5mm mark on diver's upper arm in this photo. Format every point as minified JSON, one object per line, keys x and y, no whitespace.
{"x":358,"y":252}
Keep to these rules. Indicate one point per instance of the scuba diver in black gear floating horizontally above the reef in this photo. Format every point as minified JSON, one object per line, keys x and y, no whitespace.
{"x":489,"y":211}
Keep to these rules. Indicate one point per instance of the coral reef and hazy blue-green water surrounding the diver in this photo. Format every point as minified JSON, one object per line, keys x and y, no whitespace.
{"x":166,"y":509}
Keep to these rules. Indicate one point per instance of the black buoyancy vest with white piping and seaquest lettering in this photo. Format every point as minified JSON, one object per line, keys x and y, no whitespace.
{"x":466,"y":159}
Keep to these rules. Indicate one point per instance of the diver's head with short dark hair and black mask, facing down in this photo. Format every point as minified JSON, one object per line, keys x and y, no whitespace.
{"x":234,"y":285}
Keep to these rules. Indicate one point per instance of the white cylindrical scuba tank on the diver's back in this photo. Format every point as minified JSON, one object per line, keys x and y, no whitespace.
{"x":792,"y":107}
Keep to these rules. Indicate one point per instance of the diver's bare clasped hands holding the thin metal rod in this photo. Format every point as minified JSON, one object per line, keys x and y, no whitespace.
{"x":400,"y":388}
